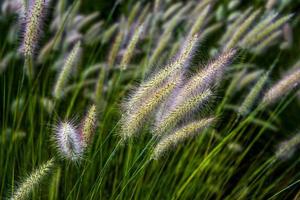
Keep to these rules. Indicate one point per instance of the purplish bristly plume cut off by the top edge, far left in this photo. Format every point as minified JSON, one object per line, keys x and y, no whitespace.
{"x":33,"y":23}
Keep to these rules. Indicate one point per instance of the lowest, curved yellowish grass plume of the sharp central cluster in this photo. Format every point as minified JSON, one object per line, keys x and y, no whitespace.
{"x":190,"y":130}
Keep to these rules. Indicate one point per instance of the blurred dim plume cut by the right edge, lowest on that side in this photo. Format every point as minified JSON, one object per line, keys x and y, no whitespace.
{"x":287,"y":148}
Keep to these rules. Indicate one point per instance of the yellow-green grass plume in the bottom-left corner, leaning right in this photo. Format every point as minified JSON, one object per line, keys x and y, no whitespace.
{"x":33,"y":180}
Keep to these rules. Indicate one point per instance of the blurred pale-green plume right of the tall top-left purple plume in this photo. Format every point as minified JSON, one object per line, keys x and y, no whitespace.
{"x":66,"y":71}
